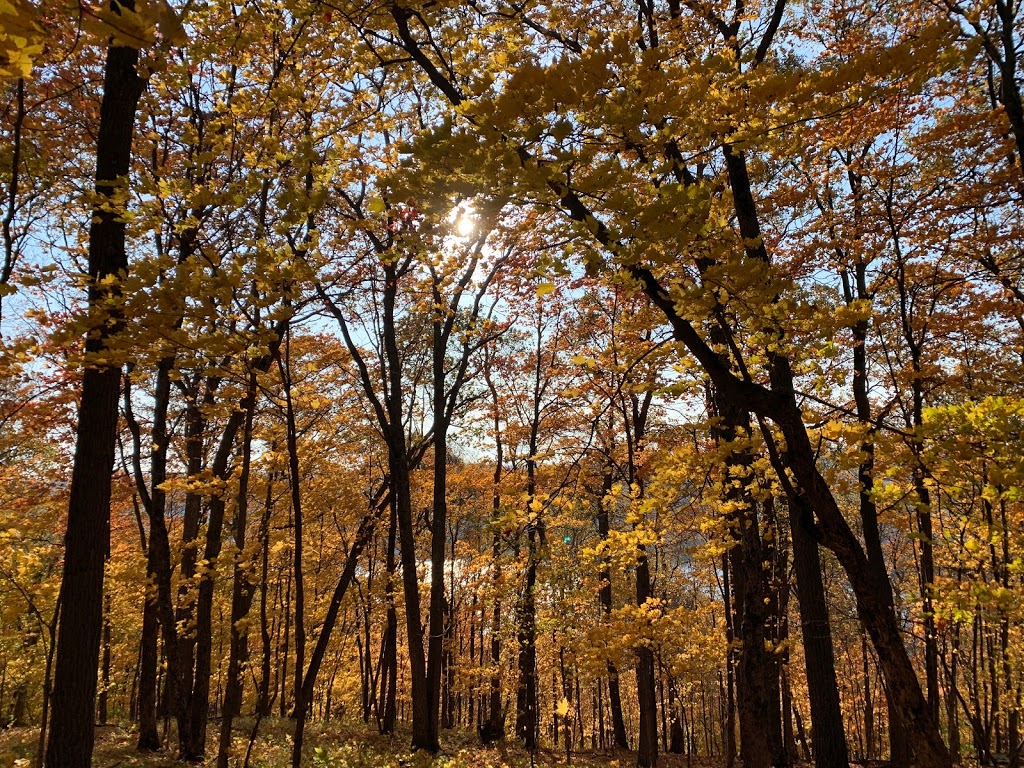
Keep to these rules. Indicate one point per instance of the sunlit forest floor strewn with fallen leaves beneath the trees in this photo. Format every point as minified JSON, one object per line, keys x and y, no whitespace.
{"x":337,"y":746}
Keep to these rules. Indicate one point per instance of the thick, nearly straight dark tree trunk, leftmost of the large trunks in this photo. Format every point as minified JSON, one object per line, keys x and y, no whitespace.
{"x":88,"y":541}
